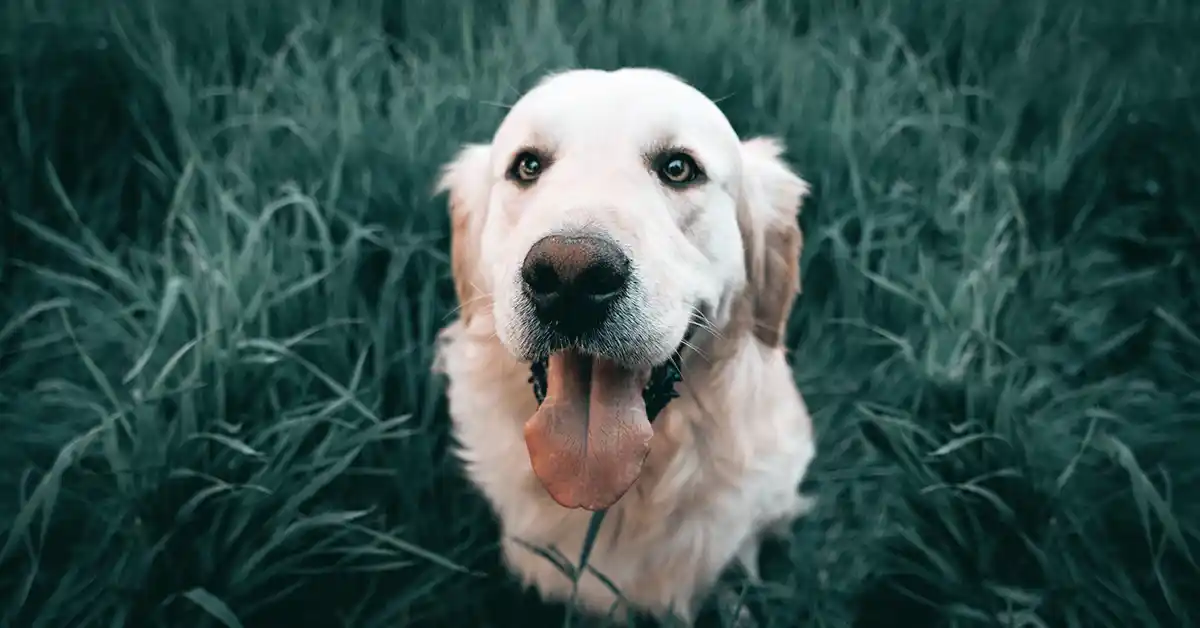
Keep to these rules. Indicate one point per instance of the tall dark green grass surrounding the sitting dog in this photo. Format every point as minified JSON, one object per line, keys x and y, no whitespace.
{"x":223,"y":268}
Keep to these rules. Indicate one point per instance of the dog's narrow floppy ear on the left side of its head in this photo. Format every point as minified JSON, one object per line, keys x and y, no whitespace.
{"x":466,"y":180}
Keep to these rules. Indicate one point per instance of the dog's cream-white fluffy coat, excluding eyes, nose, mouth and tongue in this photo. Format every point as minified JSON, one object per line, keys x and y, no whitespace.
{"x":729,"y":456}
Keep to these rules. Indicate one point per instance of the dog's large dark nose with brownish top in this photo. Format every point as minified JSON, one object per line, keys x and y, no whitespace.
{"x":574,"y":280}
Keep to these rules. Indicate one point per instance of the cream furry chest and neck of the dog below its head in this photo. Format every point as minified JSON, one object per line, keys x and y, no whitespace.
{"x":718,"y":474}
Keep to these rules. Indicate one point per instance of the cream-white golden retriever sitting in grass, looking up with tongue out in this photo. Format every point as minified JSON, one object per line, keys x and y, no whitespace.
{"x":617,"y":224}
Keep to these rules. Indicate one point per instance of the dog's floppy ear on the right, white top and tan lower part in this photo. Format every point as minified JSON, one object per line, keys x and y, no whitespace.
{"x":769,"y":219}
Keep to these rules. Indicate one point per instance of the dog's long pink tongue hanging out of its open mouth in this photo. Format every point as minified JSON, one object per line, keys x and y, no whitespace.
{"x":591,"y":436}
